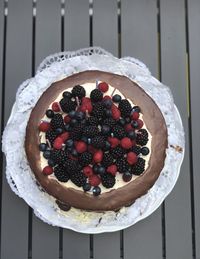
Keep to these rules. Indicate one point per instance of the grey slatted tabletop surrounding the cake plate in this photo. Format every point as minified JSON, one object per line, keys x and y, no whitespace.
{"x":165,"y":35}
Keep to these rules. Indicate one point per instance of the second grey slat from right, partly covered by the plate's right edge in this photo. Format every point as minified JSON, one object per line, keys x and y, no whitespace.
{"x":173,"y":56}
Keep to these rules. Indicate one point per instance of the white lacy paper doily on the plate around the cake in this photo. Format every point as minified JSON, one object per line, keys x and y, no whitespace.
{"x":22,"y":180}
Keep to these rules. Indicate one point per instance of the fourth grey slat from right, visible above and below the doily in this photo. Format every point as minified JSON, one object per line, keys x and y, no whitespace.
{"x":105,"y":16}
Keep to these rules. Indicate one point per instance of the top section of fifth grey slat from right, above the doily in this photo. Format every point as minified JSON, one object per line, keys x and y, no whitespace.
{"x":76,"y":24}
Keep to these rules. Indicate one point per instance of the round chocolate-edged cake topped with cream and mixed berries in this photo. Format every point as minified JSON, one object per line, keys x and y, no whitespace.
{"x":96,"y":141}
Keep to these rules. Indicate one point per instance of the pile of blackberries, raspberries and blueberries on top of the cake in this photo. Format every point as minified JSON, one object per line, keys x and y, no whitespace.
{"x":90,"y":139}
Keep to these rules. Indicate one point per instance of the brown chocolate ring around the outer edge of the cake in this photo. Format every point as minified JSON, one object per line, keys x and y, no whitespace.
{"x":117,"y":198}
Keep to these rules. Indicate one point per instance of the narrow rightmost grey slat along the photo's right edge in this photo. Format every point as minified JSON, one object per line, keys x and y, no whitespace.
{"x":194,"y":61}
